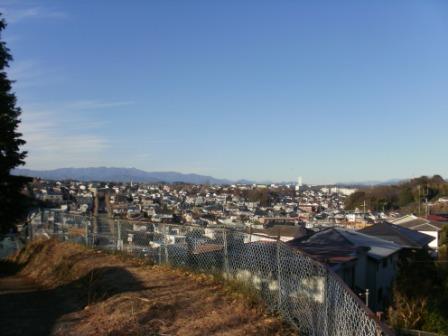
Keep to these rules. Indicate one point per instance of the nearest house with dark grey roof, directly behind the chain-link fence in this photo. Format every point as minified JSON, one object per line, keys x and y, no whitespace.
{"x":362,"y":261}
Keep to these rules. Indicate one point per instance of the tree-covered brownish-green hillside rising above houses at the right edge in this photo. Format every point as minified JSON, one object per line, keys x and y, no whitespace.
{"x":402,"y":196}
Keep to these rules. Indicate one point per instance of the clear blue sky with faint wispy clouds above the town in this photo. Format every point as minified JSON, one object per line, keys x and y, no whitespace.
{"x":333,"y":91}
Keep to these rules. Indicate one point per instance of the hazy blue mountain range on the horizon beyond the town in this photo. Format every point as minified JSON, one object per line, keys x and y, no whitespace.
{"x":108,"y":174}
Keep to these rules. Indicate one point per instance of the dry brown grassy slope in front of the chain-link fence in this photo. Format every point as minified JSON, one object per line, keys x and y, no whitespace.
{"x":104,"y":294}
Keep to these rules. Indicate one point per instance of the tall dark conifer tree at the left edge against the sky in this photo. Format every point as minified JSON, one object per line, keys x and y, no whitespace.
{"x":11,"y":196}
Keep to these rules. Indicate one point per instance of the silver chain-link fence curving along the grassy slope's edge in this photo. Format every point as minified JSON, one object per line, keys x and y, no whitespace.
{"x":304,"y":291}
